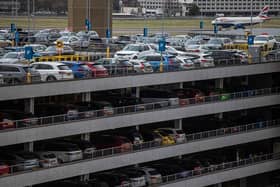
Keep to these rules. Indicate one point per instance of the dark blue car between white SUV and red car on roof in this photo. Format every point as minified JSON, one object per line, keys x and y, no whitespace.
{"x":80,"y":69}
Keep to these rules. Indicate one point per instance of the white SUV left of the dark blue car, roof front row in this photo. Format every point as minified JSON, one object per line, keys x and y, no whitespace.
{"x":51,"y":71}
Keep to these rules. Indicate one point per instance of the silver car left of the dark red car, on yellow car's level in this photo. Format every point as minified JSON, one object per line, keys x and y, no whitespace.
{"x":64,"y":151}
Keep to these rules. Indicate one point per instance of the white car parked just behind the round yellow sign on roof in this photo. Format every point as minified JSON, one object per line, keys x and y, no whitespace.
{"x":73,"y":41}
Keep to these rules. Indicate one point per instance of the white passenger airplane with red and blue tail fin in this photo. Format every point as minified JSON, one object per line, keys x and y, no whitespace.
{"x":241,"y":22}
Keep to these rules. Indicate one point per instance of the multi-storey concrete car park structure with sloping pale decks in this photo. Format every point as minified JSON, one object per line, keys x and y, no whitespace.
{"x":261,"y":98}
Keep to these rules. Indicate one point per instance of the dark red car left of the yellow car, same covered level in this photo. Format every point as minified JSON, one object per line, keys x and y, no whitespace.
{"x":120,"y":143}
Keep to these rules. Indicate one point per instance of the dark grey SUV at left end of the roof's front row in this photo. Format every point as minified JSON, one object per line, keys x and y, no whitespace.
{"x":17,"y":73}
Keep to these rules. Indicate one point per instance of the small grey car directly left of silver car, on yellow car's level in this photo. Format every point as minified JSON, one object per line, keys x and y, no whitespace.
{"x":47,"y":159}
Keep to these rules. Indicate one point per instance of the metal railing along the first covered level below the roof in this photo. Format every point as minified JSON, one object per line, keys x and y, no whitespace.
{"x":95,"y":114}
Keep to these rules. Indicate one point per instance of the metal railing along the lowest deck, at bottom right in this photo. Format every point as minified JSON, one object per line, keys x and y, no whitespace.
{"x":221,"y":167}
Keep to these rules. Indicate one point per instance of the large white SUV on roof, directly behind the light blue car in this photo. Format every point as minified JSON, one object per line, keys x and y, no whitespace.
{"x":132,"y":50}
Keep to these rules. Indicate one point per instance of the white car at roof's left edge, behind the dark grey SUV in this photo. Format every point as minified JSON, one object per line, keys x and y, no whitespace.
{"x":13,"y":58}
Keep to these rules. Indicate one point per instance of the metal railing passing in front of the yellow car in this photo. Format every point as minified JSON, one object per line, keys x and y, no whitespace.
{"x":130,"y":148}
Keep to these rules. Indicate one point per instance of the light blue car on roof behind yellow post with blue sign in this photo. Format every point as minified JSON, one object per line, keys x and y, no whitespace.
{"x":169,"y":62}
